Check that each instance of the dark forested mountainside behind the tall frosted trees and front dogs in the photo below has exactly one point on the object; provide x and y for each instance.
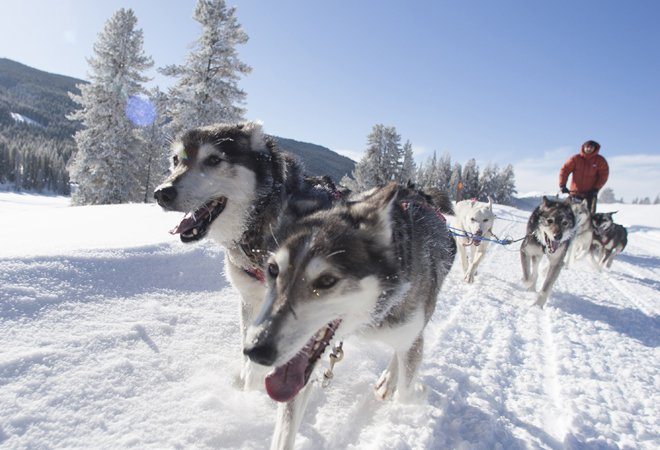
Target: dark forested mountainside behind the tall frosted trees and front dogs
(36, 138)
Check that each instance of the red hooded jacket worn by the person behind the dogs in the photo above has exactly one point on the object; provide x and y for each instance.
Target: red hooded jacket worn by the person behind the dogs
(589, 171)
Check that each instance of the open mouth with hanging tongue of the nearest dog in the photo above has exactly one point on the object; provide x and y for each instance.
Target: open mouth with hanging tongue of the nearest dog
(283, 383)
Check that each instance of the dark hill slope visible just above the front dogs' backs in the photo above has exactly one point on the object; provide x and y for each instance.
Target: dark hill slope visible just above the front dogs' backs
(318, 160)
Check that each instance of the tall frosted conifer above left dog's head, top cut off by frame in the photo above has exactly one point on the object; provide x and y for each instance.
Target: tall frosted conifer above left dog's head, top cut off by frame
(206, 89)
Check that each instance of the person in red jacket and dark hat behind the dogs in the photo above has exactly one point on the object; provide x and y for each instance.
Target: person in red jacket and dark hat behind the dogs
(590, 172)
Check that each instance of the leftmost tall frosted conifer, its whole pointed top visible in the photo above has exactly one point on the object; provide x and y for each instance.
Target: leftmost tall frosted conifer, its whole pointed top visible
(107, 167)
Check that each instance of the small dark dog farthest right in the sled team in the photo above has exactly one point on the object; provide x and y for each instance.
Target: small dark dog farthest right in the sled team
(609, 239)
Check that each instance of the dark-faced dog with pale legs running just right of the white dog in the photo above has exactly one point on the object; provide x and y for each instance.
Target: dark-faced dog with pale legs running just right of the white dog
(549, 231)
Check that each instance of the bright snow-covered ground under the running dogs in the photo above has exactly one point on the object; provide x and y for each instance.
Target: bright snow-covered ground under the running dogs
(114, 334)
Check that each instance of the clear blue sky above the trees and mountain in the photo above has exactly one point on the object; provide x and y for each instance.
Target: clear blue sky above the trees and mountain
(521, 82)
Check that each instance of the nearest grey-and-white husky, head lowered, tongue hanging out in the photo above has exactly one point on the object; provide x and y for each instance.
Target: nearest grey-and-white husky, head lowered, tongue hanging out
(374, 266)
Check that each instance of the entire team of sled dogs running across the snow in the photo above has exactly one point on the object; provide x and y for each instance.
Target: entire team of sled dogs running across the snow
(314, 263)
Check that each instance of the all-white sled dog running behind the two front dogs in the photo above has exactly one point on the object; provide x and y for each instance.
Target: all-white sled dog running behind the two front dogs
(476, 220)
